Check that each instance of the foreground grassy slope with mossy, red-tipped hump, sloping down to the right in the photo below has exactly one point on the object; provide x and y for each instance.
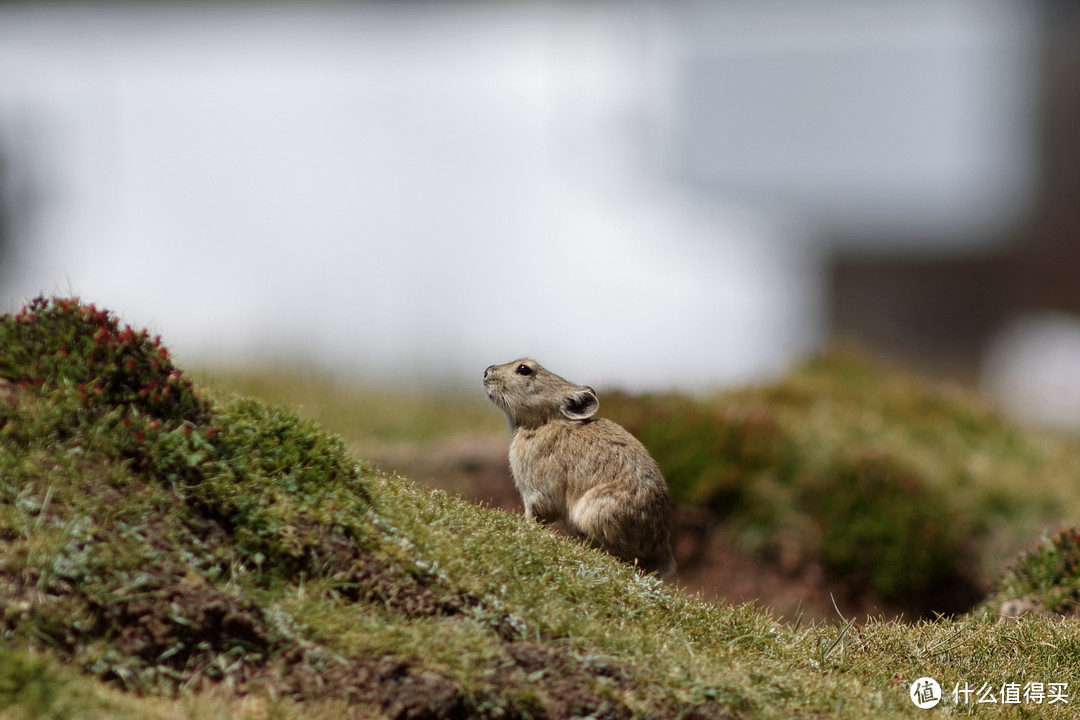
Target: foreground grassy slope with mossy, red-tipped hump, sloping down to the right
(171, 554)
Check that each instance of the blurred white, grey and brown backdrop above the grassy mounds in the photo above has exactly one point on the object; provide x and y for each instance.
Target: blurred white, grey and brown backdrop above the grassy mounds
(653, 195)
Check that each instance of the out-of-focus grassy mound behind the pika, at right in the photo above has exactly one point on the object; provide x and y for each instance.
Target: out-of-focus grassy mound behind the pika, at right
(917, 492)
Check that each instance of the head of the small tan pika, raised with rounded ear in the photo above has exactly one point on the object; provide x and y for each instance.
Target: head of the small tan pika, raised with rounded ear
(531, 396)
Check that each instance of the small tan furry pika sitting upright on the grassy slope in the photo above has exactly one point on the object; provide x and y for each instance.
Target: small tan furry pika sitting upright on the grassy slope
(588, 472)
